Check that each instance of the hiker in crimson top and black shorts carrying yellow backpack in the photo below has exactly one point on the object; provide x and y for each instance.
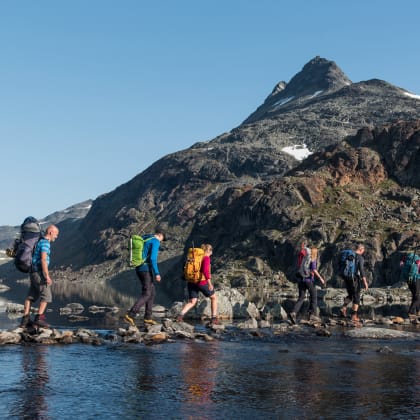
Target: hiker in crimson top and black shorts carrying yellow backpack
(204, 286)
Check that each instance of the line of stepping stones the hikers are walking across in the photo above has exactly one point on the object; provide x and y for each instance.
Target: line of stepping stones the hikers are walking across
(169, 331)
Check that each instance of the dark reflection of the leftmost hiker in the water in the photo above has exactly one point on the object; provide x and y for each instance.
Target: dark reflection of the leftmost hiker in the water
(34, 381)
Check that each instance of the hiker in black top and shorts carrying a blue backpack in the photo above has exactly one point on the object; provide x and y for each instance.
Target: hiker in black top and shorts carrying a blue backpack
(353, 285)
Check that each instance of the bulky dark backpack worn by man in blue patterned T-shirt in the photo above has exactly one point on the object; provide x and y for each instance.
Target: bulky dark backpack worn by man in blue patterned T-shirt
(24, 246)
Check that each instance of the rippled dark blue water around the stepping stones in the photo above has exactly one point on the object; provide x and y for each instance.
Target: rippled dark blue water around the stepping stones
(269, 378)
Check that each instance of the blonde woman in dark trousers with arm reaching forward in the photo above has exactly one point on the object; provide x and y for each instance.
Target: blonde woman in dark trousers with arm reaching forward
(307, 282)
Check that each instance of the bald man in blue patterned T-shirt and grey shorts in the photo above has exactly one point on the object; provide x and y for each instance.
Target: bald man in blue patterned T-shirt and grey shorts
(40, 279)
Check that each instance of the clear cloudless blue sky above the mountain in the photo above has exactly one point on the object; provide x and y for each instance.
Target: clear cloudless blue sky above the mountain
(92, 92)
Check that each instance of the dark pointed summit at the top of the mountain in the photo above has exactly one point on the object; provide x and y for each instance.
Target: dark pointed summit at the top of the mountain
(317, 77)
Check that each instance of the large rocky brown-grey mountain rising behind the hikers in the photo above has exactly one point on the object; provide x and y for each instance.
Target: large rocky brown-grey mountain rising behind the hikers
(254, 202)
